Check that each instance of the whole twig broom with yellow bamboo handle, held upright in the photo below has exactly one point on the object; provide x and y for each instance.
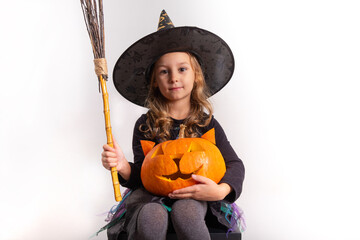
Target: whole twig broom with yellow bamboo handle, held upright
(94, 20)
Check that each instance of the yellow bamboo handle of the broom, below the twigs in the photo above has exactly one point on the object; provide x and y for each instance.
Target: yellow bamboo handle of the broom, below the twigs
(114, 174)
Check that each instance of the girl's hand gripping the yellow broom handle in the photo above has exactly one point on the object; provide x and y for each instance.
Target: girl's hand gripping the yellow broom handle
(114, 157)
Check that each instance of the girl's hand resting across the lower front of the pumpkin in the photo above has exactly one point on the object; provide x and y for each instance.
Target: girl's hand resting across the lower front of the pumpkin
(205, 190)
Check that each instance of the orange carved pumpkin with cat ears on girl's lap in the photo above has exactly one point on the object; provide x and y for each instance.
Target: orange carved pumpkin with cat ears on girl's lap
(169, 165)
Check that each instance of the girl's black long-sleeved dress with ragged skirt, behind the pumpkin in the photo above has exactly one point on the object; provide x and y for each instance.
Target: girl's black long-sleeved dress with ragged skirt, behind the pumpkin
(216, 216)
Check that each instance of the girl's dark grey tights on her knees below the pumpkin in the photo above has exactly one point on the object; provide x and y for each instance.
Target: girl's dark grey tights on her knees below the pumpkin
(187, 217)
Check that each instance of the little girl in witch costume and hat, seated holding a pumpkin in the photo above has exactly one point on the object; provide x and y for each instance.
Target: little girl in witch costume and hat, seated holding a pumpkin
(164, 71)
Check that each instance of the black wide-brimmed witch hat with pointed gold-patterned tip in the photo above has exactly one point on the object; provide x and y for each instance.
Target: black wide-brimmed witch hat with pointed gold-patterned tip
(132, 70)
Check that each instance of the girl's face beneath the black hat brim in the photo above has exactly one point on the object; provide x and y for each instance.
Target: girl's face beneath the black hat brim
(174, 76)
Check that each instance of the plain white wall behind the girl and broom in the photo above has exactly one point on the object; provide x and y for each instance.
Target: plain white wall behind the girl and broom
(291, 112)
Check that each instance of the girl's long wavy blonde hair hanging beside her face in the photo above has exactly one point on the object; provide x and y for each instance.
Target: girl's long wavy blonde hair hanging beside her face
(159, 123)
